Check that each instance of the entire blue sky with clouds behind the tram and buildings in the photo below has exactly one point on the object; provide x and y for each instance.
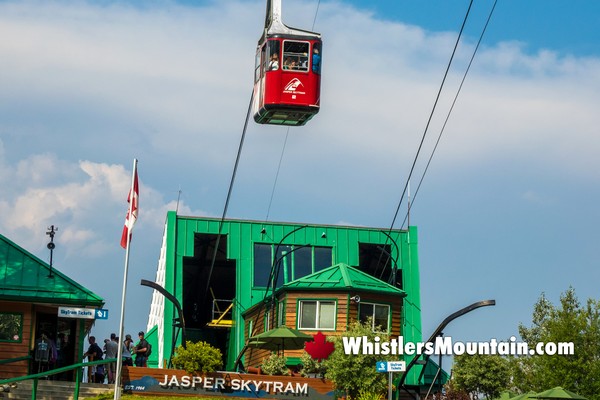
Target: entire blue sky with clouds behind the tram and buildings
(508, 209)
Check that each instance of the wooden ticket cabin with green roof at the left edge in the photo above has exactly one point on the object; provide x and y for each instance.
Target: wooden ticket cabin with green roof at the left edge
(31, 294)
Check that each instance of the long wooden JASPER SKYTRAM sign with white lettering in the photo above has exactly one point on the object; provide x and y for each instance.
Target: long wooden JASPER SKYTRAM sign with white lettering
(224, 384)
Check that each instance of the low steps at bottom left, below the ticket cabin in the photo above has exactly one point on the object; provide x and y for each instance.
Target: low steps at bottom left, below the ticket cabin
(53, 390)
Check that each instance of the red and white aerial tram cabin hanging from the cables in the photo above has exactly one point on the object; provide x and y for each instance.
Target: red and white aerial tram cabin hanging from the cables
(287, 76)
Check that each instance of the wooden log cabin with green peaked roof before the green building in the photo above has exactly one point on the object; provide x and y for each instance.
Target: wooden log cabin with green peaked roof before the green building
(327, 302)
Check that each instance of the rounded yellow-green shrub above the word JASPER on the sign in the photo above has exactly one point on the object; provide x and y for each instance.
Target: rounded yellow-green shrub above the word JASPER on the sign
(197, 357)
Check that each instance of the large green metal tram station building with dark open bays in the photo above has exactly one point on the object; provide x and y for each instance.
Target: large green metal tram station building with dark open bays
(218, 269)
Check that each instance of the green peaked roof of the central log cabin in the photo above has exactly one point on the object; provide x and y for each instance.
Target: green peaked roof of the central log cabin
(343, 277)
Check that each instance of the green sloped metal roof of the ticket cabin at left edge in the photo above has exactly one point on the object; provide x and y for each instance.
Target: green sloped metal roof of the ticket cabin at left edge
(24, 277)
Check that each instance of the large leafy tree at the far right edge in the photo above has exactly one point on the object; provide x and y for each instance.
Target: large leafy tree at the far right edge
(570, 321)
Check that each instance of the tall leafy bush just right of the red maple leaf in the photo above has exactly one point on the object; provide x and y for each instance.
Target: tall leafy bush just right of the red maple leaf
(354, 374)
